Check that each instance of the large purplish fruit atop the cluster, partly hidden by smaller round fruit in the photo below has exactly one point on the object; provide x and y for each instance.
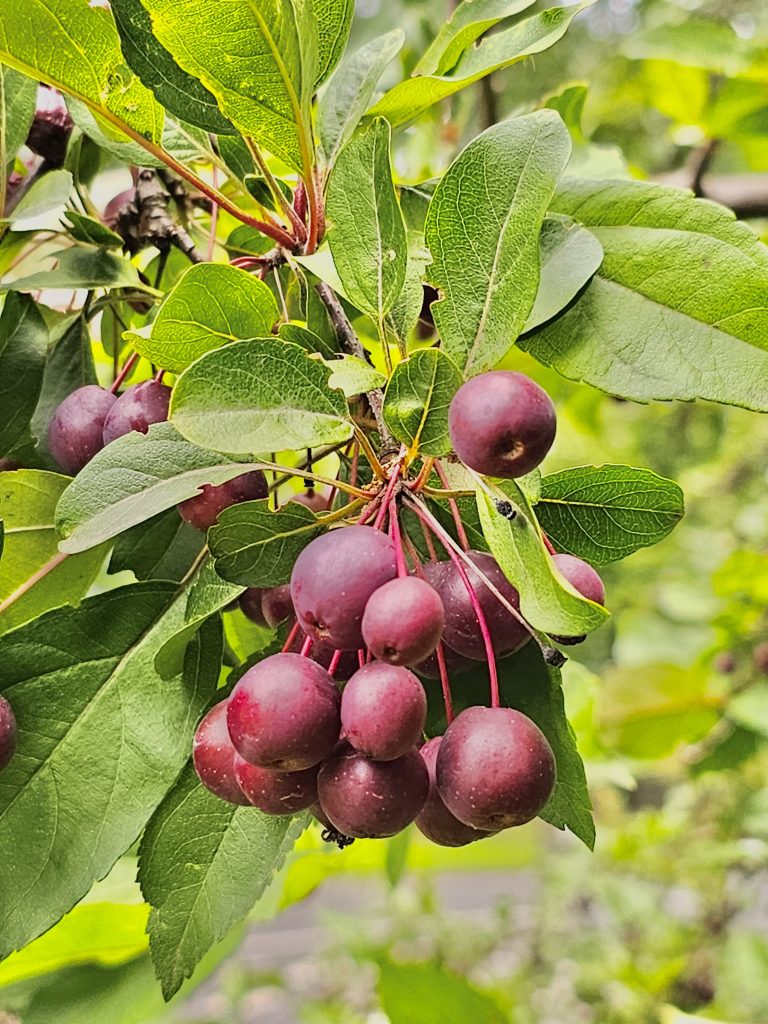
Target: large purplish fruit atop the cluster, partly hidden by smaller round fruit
(333, 579)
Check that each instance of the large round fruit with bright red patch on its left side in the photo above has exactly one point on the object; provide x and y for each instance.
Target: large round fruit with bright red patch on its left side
(284, 714)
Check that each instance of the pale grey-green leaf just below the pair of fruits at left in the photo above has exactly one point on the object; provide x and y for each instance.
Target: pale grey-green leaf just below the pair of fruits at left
(134, 480)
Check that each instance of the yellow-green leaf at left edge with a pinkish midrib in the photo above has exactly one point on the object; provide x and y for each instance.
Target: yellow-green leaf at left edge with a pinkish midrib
(28, 502)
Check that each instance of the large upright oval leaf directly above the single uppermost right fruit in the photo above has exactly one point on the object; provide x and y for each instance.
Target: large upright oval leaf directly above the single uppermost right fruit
(492, 203)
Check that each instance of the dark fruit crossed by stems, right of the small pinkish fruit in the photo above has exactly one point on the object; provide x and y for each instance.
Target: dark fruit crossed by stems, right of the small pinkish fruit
(462, 632)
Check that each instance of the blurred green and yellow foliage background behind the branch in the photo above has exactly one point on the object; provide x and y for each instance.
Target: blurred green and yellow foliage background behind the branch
(667, 923)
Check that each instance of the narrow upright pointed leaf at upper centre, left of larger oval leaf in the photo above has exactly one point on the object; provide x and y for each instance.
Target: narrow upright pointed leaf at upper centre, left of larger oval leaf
(368, 236)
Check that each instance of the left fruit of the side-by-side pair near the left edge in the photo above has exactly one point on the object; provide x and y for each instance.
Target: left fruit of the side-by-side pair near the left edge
(76, 430)
